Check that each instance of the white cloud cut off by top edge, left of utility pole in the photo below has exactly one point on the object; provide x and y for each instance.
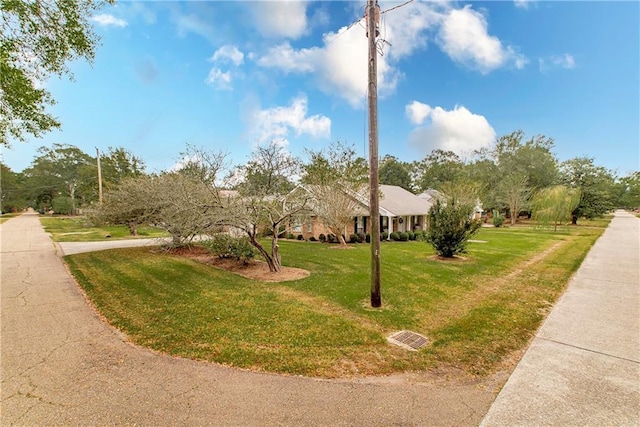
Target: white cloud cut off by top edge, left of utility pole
(281, 18)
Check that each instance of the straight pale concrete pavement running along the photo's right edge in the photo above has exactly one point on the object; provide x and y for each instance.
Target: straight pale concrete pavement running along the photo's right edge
(583, 367)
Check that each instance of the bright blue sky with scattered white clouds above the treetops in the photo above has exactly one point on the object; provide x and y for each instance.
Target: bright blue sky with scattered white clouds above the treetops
(453, 75)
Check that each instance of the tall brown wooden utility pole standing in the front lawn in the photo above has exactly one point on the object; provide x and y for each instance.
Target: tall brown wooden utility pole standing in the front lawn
(373, 16)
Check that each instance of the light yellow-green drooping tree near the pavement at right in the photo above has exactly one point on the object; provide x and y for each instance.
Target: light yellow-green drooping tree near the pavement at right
(554, 204)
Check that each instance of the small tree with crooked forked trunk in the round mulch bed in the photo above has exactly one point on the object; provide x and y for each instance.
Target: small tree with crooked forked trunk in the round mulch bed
(267, 200)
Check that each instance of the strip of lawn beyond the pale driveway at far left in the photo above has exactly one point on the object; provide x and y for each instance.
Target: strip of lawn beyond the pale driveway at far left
(77, 229)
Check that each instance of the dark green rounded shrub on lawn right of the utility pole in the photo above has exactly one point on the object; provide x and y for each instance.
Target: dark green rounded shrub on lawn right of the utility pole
(450, 226)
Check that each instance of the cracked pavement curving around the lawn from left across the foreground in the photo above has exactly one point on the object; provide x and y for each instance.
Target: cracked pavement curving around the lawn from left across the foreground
(62, 365)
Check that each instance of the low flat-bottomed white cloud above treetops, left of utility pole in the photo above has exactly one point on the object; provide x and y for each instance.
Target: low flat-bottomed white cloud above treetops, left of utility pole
(278, 122)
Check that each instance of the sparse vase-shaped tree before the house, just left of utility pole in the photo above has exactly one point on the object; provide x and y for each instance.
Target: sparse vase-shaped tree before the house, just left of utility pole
(336, 178)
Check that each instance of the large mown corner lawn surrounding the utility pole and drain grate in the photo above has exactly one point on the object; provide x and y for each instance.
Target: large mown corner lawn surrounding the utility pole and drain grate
(475, 313)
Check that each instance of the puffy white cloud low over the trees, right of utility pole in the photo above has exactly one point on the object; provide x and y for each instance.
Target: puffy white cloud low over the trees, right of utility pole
(457, 130)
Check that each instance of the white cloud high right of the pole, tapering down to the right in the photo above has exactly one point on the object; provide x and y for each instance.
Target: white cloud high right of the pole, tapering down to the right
(464, 37)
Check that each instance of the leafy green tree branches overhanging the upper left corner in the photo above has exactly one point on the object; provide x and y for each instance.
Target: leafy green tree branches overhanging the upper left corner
(38, 39)
